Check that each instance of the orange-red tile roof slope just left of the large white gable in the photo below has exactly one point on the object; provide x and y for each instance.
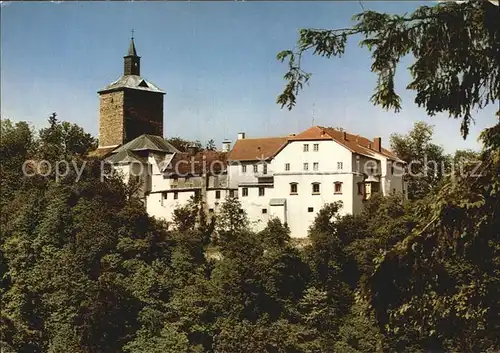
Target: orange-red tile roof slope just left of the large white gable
(257, 148)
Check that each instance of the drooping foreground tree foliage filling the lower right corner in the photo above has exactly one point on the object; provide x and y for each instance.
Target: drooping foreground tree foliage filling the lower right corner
(438, 286)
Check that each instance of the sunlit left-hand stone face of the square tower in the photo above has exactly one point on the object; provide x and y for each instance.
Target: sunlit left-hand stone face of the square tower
(111, 130)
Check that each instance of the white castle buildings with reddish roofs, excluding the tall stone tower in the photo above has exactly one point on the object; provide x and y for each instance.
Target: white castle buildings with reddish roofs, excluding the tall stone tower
(290, 178)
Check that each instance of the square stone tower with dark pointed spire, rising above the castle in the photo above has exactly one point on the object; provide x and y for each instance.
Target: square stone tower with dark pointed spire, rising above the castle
(130, 106)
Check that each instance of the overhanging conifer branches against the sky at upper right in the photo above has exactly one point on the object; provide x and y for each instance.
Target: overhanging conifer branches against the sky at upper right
(454, 46)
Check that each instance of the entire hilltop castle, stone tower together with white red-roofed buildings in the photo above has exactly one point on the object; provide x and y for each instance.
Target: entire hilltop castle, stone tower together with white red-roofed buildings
(288, 177)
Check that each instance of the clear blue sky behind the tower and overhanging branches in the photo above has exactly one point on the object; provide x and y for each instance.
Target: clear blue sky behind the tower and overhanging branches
(216, 61)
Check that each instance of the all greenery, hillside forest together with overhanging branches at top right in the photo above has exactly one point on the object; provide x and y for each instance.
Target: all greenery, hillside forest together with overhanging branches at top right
(84, 269)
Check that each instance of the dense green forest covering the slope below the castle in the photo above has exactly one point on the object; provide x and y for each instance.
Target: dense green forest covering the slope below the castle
(84, 269)
